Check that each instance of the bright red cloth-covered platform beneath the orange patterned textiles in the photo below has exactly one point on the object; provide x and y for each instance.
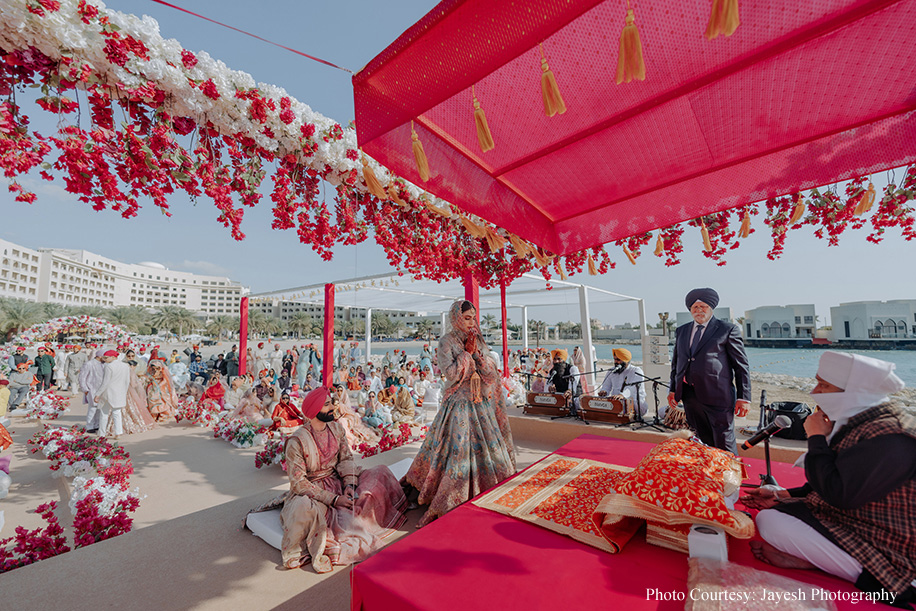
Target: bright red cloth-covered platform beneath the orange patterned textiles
(473, 558)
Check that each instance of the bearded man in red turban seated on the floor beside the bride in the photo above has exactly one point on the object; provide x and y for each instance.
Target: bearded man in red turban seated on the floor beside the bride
(335, 512)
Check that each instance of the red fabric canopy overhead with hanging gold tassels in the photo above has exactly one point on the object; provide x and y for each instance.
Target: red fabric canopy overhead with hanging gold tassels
(802, 94)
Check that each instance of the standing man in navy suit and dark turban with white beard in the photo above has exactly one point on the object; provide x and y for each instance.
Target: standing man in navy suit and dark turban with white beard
(709, 372)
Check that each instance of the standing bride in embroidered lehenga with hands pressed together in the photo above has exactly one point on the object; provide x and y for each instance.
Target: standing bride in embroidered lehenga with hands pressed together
(468, 447)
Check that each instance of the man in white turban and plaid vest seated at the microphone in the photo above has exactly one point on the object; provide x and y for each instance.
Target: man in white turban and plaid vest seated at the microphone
(856, 516)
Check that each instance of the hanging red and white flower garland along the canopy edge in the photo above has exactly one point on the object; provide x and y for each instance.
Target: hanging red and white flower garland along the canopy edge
(141, 117)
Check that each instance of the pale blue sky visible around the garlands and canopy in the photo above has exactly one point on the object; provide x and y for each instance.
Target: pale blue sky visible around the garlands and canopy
(350, 33)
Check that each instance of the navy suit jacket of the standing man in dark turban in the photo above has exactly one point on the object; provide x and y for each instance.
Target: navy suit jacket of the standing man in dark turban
(718, 368)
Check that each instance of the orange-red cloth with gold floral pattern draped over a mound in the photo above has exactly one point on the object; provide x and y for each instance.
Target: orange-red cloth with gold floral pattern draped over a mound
(684, 477)
